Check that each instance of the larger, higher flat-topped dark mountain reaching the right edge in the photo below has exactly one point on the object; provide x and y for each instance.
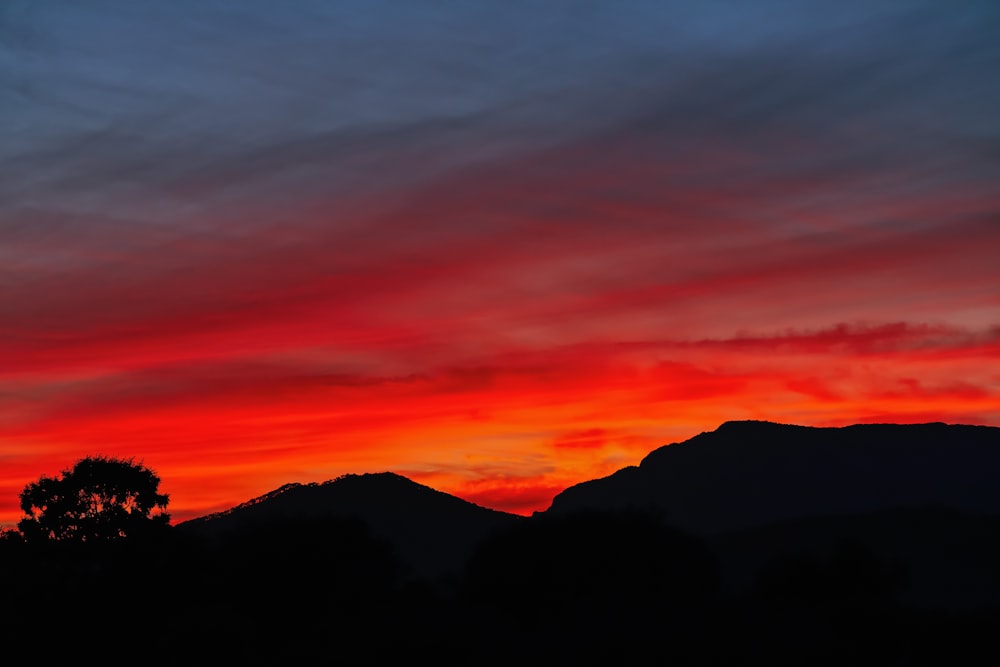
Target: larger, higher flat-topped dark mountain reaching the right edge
(747, 474)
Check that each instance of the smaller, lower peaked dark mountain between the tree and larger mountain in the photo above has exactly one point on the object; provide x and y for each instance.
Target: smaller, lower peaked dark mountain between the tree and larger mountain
(433, 532)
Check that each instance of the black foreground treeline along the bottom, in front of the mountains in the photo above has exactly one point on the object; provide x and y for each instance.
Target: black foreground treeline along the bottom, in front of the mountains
(591, 588)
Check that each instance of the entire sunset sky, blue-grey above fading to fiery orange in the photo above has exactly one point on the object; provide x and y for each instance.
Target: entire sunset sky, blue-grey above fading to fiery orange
(496, 247)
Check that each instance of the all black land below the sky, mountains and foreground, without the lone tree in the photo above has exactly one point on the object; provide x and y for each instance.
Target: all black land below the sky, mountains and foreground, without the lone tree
(754, 544)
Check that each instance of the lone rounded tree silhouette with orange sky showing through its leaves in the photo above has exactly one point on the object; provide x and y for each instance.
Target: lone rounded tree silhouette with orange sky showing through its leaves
(97, 500)
